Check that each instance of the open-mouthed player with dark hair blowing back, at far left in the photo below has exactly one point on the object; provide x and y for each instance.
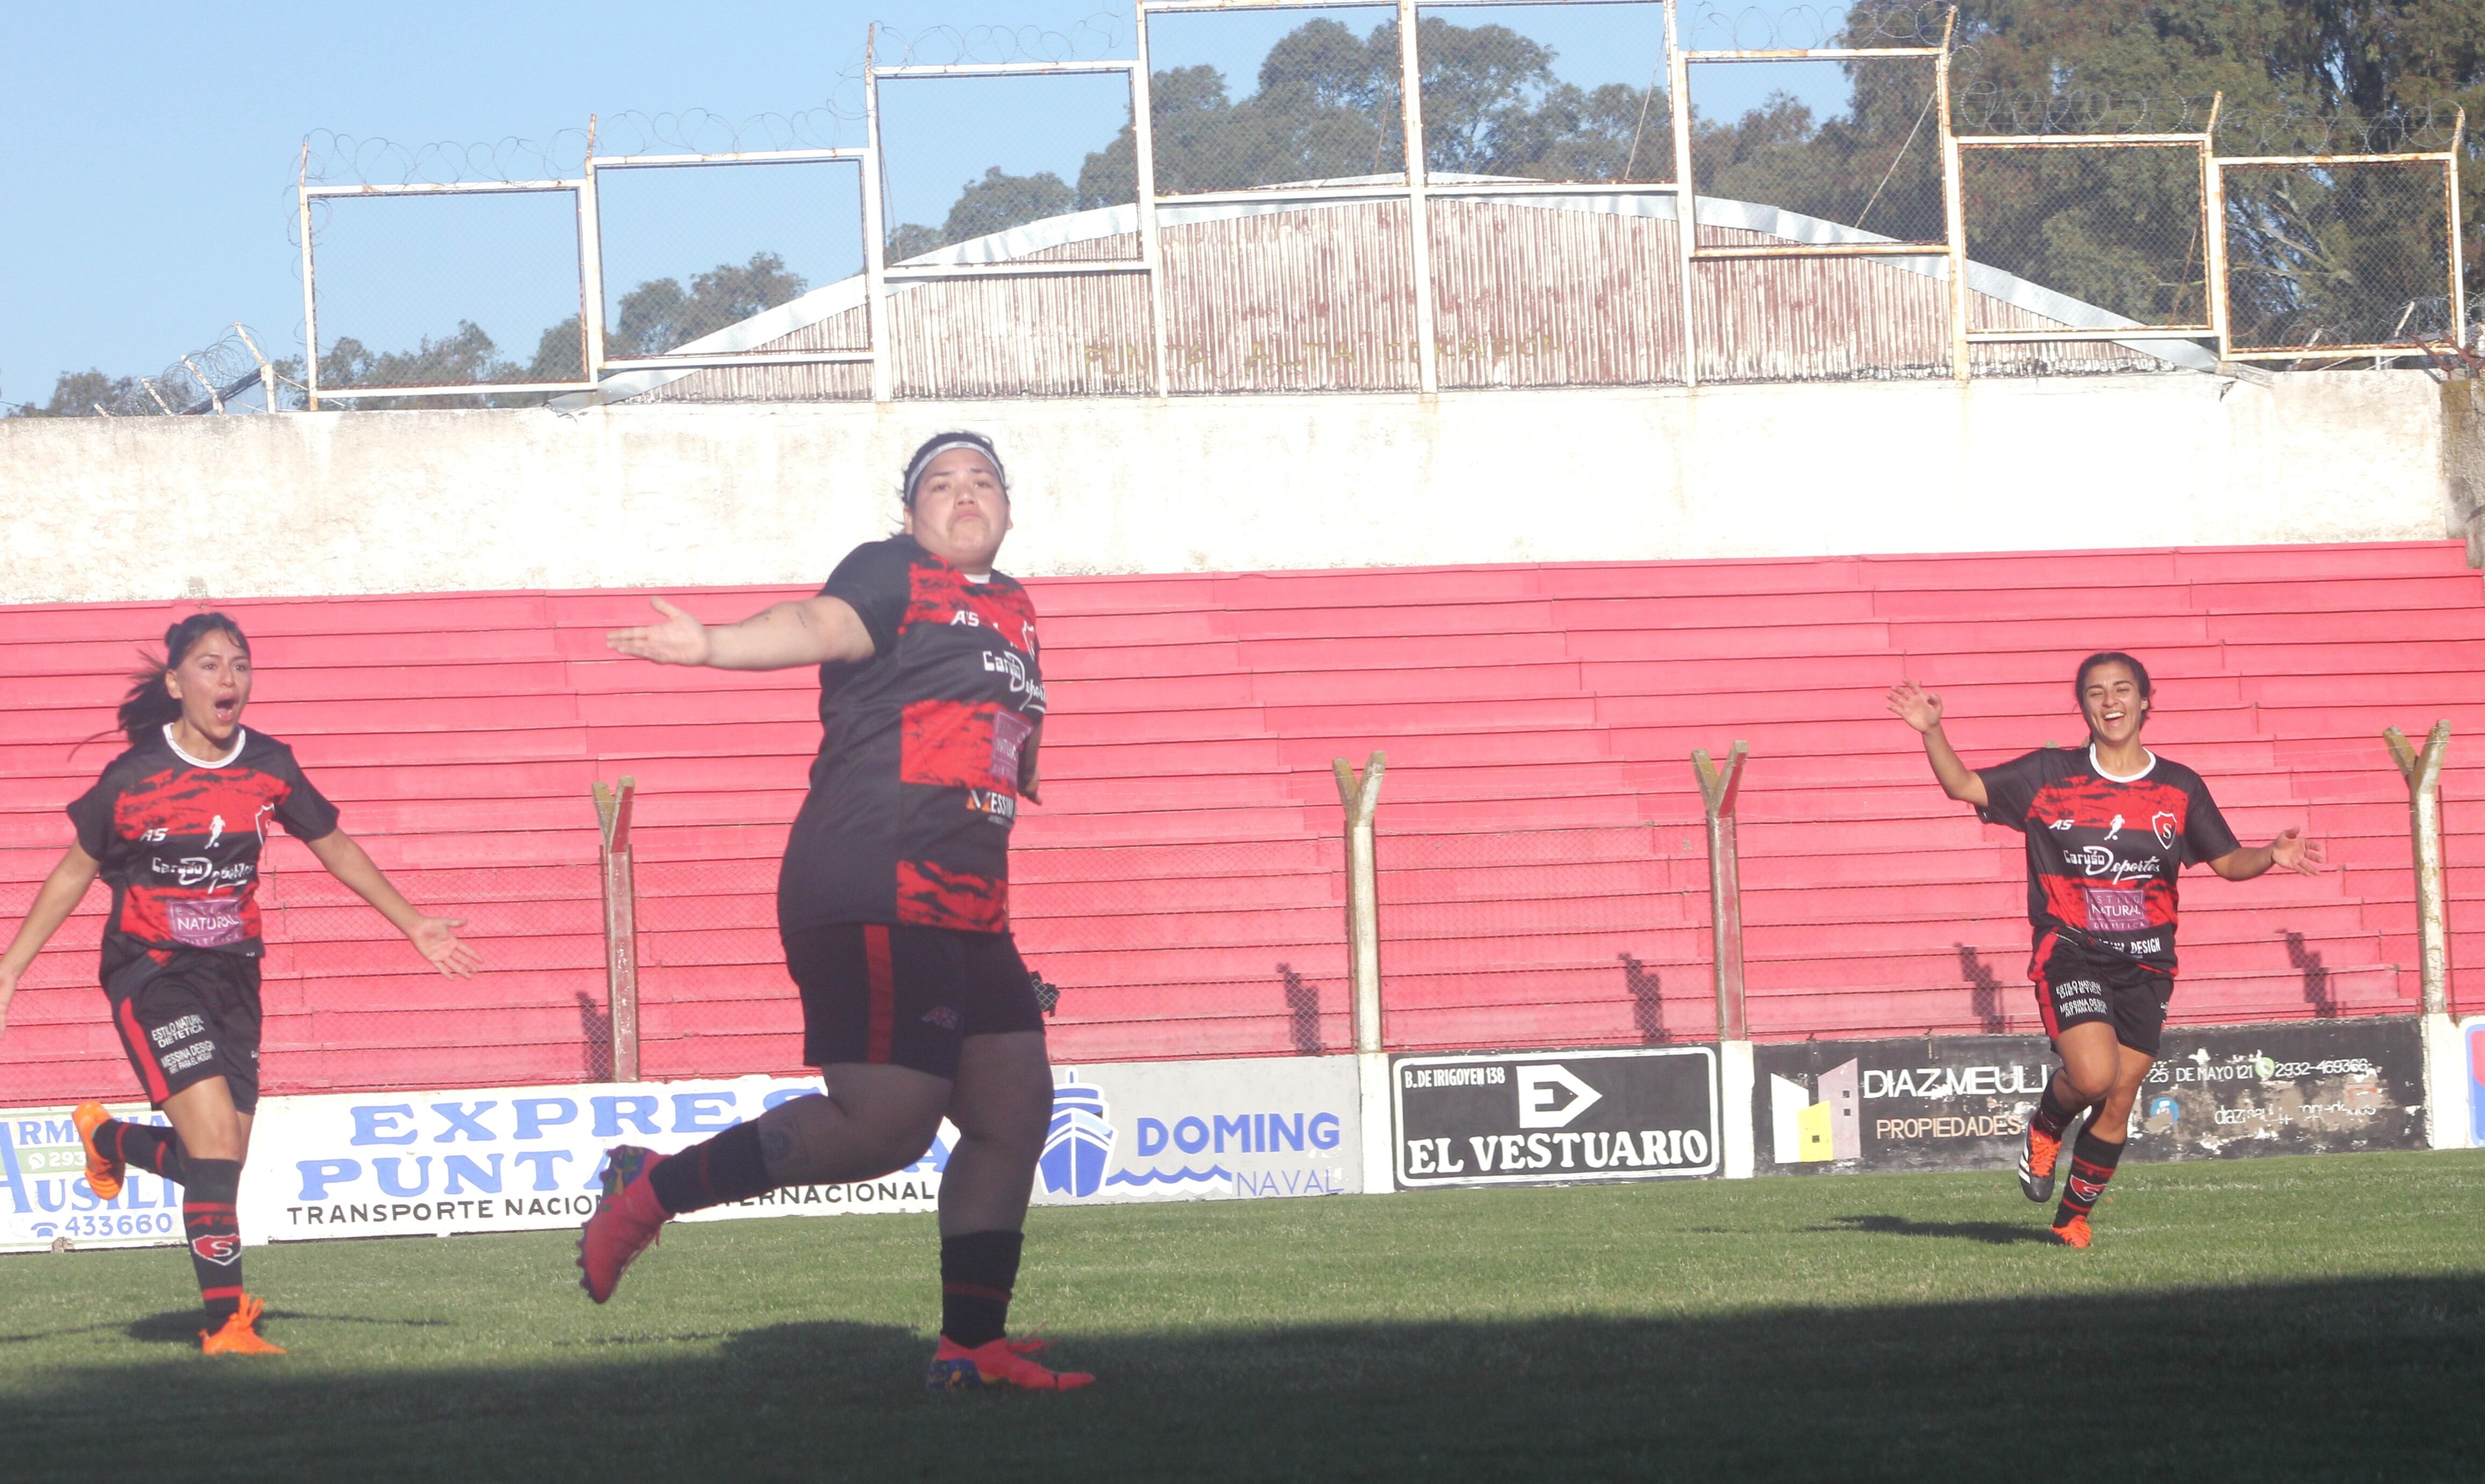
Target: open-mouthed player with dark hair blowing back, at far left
(175, 827)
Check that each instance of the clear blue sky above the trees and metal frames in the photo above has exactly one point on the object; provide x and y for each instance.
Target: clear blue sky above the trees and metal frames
(150, 188)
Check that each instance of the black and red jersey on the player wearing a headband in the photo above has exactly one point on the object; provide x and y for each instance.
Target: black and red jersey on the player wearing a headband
(921, 747)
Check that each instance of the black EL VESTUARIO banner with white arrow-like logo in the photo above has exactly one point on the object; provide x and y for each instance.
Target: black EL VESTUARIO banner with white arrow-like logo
(1557, 1117)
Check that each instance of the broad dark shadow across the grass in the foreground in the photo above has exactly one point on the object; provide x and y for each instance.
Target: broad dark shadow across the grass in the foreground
(2317, 1378)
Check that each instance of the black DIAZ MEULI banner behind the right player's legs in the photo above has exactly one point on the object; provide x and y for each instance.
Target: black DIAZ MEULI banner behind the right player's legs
(1962, 1102)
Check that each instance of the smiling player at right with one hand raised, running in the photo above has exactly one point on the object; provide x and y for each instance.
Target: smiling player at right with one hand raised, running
(2109, 829)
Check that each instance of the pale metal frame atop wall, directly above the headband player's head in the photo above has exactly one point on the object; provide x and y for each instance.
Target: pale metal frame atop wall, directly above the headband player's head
(881, 272)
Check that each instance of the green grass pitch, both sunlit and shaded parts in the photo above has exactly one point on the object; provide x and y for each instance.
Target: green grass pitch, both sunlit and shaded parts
(2285, 1319)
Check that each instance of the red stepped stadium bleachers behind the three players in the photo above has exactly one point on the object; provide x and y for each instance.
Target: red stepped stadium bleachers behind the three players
(1544, 874)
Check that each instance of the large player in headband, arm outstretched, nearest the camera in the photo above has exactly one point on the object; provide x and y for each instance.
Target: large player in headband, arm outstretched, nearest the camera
(896, 906)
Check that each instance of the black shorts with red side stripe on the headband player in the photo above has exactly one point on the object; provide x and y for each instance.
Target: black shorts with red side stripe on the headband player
(906, 996)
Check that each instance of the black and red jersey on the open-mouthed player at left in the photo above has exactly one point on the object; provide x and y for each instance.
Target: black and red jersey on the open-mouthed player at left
(180, 841)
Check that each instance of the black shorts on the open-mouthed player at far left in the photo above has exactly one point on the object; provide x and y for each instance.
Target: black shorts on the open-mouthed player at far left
(188, 1020)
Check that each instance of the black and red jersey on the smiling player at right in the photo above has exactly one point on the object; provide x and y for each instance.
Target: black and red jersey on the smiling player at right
(2104, 851)
